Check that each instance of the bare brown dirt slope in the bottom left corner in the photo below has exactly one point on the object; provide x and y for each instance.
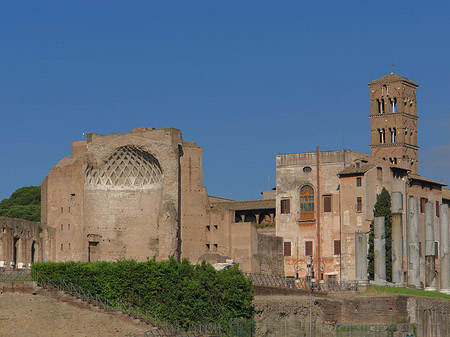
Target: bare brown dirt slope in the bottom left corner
(41, 316)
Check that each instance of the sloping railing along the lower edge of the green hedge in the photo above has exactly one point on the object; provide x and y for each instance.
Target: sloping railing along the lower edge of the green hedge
(161, 326)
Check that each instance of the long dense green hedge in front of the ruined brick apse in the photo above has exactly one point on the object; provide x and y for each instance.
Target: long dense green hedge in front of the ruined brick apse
(177, 292)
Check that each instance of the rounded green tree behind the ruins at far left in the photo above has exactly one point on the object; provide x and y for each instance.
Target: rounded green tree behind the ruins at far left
(24, 203)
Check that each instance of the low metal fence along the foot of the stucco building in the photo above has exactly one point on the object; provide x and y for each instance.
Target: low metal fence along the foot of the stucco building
(282, 281)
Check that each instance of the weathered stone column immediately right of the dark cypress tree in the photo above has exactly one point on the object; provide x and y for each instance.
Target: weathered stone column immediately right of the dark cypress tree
(397, 238)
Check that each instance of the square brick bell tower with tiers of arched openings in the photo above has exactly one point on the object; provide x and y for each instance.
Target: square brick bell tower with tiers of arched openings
(393, 121)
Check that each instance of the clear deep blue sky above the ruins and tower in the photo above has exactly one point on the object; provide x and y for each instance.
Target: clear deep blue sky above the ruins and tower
(244, 79)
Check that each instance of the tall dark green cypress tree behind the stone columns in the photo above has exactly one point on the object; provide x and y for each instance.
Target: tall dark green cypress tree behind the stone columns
(382, 208)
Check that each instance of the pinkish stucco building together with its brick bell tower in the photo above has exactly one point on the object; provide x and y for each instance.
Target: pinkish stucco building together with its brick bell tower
(323, 197)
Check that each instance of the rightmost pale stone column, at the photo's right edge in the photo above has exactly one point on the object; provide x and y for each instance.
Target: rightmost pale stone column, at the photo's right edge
(445, 247)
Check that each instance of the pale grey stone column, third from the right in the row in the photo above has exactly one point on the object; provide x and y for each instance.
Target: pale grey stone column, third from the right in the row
(413, 243)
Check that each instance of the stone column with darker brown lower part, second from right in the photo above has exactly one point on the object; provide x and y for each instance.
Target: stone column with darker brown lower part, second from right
(430, 276)
